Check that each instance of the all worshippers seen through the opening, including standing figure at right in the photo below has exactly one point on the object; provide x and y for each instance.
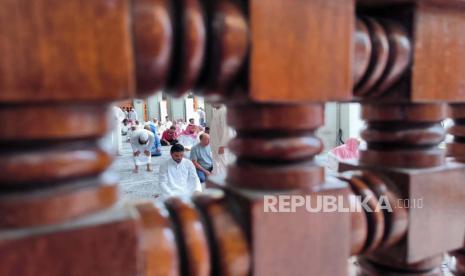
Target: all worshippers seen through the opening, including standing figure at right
(191, 160)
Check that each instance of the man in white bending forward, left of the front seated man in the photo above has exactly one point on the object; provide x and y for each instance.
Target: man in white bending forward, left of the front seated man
(142, 142)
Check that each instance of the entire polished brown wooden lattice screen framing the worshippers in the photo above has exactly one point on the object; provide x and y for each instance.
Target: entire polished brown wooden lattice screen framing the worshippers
(275, 64)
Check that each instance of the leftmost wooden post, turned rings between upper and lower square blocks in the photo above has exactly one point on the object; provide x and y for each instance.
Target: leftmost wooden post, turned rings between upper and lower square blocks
(63, 64)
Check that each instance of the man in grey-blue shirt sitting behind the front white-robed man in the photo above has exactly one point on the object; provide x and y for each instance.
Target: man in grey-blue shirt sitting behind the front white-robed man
(201, 156)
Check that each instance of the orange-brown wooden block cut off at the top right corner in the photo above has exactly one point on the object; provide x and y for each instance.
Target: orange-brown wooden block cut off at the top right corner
(438, 66)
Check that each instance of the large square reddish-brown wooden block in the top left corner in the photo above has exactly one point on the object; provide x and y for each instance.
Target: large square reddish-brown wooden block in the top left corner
(65, 51)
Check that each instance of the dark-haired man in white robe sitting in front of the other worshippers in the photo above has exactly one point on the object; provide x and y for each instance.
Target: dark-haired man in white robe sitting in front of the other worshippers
(177, 175)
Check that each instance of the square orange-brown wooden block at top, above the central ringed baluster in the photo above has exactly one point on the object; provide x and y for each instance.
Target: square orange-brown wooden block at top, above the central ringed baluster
(297, 46)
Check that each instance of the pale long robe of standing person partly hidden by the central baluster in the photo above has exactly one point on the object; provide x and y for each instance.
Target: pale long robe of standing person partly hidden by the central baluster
(220, 134)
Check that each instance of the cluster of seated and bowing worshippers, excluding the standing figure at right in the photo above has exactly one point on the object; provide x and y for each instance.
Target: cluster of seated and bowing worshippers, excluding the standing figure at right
(176, 171)
